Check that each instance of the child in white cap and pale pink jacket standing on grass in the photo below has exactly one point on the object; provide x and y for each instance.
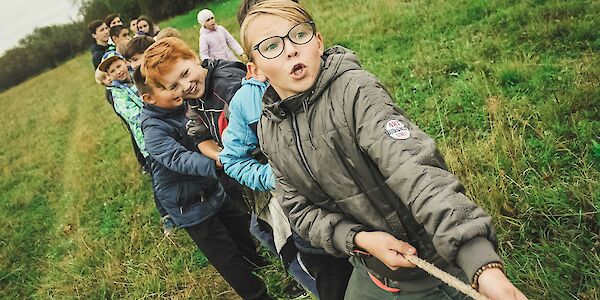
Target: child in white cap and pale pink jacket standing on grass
(215, 41)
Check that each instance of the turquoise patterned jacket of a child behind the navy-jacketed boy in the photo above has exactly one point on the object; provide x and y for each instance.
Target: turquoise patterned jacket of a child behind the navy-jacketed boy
(128, 105)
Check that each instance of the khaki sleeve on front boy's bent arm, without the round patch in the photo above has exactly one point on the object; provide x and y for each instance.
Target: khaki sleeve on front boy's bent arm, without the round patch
(322, 228)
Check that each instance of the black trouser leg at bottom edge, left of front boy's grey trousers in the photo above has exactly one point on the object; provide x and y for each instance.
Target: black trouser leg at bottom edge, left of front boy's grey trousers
(331, 274)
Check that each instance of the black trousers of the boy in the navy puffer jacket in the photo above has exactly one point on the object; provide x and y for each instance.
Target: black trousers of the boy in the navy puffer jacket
(225, 240)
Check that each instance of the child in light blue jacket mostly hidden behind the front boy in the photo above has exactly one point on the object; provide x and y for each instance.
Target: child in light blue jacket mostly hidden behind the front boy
(243, 160)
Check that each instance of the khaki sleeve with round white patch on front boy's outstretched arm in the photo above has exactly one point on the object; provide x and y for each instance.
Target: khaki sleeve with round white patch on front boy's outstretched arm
(415, 170)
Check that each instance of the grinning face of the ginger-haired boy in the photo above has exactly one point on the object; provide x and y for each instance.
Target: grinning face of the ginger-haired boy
(186, 78)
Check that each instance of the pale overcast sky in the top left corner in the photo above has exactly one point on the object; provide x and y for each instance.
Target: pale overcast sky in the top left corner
(19, 17)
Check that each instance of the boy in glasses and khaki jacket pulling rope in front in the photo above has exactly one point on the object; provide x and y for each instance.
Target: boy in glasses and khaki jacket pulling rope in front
(385, 192)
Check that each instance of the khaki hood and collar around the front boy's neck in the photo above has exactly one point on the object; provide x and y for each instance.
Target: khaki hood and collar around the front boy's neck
(335, 61)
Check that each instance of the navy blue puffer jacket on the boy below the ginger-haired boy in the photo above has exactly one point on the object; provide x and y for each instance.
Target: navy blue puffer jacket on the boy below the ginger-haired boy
(185, 180)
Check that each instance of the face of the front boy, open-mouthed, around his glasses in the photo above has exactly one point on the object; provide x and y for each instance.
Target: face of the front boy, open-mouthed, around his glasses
(296, 68)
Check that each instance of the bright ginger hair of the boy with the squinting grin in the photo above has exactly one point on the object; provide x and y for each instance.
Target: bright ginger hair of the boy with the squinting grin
(161, 56)
